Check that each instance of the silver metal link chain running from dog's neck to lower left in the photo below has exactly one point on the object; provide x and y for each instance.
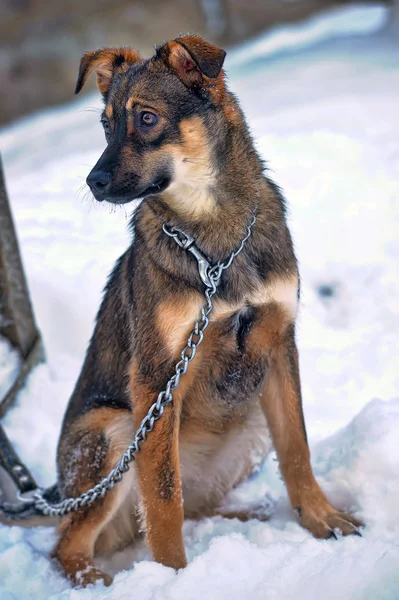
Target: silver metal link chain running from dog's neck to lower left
(165, 397)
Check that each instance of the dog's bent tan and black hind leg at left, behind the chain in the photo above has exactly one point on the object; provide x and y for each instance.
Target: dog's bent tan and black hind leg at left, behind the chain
(87, 453)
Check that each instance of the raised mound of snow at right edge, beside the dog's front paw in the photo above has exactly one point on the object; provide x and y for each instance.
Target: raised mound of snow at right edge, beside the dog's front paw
(363, 461)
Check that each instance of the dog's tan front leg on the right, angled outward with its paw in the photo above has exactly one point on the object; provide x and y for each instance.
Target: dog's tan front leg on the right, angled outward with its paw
(281, 401)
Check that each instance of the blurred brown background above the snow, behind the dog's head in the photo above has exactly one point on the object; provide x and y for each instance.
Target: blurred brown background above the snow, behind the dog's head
(41, 41)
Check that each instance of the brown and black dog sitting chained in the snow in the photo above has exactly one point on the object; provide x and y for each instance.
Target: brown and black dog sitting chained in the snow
(177, 138)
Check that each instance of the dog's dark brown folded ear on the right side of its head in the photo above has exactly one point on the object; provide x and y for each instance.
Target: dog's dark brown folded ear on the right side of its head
(193, 58)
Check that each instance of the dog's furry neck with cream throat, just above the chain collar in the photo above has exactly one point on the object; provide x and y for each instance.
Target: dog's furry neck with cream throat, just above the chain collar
(214, 194)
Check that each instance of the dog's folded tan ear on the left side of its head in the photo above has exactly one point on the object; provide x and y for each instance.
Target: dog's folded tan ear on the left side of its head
(105, 63)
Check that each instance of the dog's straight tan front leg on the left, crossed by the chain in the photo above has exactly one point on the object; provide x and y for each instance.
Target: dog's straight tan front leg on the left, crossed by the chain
(158, 470)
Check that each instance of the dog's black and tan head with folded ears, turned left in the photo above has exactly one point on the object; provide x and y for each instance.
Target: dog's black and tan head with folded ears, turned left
(154, 117)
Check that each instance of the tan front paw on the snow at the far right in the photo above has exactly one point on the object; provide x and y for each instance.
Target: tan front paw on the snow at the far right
(324, 521)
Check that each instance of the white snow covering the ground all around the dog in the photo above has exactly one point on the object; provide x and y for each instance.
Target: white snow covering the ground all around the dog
(326, 119)
